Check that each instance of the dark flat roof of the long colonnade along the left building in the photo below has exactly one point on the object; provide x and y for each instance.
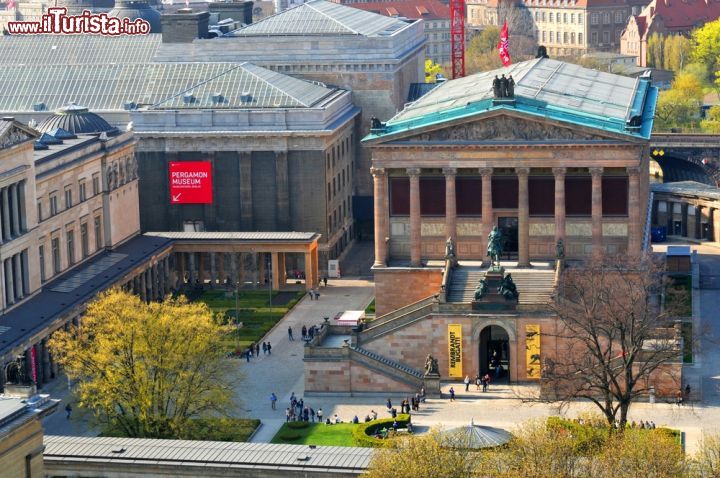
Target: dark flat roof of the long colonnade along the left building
(74, 288)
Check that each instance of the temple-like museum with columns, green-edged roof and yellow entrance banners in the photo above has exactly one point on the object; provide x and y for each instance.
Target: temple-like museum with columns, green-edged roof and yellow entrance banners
(561, 156)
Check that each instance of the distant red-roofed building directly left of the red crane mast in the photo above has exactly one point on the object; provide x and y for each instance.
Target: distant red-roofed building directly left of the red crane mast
(436, 18)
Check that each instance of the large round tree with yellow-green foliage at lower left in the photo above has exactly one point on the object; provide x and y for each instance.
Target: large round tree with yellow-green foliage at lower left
(145, 369)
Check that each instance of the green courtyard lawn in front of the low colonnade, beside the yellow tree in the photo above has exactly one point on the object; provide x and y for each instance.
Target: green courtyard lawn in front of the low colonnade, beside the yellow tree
(254, 312)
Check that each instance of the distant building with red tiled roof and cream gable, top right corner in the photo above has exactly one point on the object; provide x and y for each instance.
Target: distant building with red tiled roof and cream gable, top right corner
(664, 18)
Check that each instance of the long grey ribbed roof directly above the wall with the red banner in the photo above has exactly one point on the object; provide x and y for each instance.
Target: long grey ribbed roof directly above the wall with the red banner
(112, 86)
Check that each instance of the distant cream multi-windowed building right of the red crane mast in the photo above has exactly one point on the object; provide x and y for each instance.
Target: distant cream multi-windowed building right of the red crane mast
(566, 28)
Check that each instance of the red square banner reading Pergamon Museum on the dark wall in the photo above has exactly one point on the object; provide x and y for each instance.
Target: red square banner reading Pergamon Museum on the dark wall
(190, 182)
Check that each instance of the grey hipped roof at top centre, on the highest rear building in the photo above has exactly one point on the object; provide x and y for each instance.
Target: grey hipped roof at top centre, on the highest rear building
(322, 18)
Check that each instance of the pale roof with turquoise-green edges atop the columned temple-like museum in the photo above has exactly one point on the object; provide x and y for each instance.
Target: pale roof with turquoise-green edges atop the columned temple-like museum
(545, 88)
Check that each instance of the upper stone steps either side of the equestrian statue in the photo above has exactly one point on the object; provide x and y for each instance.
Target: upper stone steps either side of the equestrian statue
(536, 286)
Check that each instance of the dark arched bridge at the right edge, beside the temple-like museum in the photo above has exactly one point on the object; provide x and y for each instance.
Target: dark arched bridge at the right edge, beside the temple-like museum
(687, 156)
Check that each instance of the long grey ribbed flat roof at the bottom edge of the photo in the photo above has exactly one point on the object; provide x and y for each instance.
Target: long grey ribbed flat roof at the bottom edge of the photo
(209, 454)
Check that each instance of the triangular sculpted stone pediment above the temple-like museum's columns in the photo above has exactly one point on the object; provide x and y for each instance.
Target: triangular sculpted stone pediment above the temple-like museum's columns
(501, 128)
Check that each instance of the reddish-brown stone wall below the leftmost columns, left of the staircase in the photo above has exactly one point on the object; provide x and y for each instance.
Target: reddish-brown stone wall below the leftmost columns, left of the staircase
(398, 287)
